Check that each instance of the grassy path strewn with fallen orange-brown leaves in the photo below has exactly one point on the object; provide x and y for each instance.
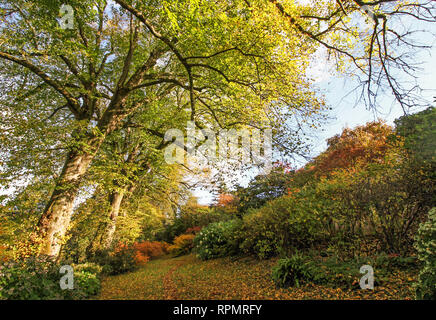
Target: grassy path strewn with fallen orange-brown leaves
(246, 279)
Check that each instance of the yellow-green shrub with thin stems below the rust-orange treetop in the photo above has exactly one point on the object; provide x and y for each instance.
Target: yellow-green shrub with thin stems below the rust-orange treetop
(383, 201)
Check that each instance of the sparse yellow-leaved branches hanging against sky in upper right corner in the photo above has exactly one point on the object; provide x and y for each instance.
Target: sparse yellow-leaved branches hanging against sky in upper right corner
(375, 40)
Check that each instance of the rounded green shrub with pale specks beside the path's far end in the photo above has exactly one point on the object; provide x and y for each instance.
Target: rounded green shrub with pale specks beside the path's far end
(218, 239)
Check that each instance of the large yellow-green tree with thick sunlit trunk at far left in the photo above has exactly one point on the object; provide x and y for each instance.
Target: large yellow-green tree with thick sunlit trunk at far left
(115, 62)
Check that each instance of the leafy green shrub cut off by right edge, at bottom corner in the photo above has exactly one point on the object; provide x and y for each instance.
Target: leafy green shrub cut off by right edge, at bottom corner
(426, 247)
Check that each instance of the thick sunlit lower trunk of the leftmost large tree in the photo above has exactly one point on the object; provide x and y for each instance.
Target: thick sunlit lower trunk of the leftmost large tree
(55, 220)
